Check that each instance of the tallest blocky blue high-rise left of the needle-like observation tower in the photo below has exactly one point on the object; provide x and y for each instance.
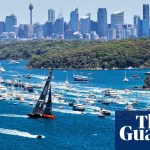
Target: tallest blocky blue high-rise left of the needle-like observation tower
(10, 21)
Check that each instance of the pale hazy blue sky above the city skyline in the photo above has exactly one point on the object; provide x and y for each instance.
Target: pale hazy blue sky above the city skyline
(20, 8)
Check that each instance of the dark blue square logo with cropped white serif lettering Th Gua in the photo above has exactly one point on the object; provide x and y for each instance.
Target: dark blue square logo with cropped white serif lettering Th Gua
(132, 130)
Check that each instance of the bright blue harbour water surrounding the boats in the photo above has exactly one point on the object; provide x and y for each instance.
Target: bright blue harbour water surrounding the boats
(70, 130)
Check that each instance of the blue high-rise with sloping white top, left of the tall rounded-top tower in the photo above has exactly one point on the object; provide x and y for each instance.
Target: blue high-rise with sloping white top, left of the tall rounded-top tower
(85, 24)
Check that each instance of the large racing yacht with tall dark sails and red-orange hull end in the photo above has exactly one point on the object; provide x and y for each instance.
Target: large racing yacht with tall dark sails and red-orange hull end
(43, 107)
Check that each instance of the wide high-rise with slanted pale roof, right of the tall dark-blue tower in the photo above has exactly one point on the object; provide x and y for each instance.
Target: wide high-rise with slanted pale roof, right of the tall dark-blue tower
(117, 18)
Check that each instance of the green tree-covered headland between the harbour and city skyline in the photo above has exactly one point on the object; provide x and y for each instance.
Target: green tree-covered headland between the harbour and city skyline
(80, 54)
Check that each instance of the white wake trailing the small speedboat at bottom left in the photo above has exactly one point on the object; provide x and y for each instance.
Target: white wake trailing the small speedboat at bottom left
(18, 133)
